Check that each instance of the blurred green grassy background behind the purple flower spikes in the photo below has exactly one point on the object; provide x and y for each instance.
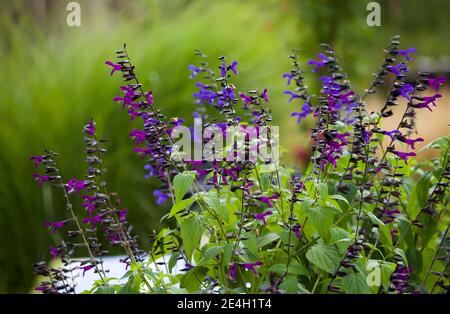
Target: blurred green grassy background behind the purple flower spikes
(52, 80)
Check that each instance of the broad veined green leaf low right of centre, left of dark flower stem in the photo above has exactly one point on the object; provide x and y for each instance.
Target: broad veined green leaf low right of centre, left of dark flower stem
(325, 257)
